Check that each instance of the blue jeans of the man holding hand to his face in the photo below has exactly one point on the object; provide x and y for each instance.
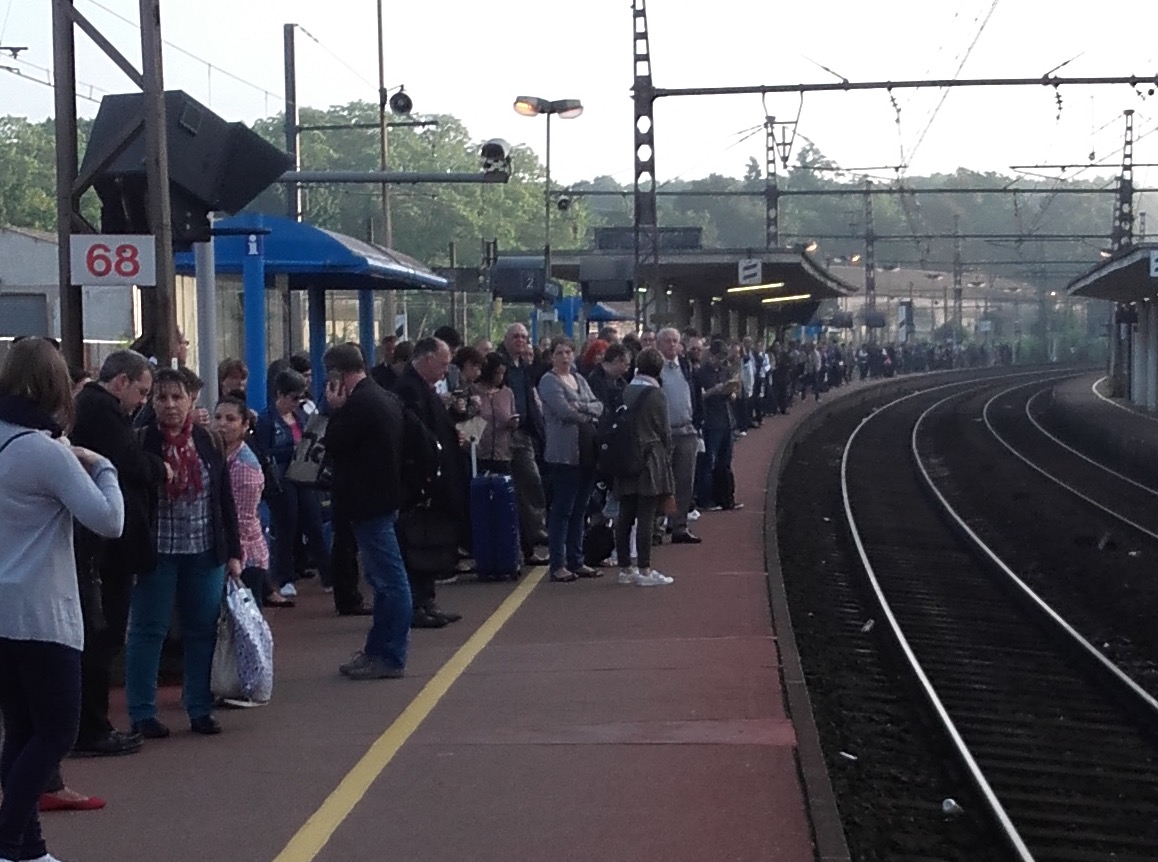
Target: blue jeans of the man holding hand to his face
(385, 572)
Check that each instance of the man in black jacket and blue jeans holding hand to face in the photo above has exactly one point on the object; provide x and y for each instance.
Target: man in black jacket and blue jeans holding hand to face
(364, 441)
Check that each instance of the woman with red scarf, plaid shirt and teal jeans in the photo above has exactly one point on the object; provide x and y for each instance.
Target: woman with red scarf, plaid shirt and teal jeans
(197, 543)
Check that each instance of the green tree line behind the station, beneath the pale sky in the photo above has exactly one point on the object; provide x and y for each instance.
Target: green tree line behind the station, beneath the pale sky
(427, 218)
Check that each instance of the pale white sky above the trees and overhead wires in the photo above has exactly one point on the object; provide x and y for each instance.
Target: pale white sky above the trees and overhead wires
(472, 60)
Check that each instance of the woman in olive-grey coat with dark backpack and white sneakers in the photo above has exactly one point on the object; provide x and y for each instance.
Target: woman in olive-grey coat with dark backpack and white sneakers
(643, 496)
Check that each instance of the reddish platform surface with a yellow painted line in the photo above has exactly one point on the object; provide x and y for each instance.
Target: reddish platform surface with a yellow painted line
(583, 721)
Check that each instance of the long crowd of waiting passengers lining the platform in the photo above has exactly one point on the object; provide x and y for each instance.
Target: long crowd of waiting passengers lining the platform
(613, 447)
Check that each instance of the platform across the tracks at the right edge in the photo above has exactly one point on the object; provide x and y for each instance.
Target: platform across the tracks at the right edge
(1082, 408)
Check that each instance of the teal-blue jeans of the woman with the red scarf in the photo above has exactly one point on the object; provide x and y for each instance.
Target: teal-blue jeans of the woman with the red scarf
(197, 583)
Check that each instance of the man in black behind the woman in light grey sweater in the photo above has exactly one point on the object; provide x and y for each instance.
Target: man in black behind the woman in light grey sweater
(104, 425)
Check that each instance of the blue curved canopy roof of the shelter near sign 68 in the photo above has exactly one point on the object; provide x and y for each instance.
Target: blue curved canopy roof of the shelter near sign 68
(313, 258)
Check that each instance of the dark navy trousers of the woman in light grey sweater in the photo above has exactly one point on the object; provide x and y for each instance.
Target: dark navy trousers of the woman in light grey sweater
(40, 698)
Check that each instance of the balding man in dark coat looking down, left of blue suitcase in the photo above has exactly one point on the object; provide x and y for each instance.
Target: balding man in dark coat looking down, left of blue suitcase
(449, 494)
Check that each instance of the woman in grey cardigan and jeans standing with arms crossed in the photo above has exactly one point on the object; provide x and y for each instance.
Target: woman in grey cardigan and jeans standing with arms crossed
(570, 412)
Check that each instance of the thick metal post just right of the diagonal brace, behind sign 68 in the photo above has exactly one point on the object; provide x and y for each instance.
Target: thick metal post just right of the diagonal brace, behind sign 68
(157, 166)
